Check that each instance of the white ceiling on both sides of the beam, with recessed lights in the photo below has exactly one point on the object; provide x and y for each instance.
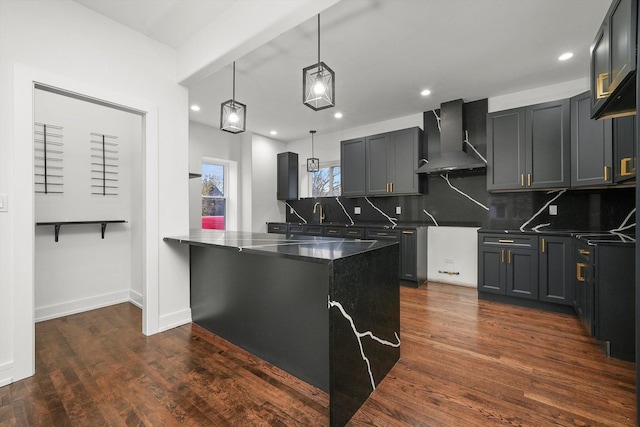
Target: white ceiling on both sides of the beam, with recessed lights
(384, 52)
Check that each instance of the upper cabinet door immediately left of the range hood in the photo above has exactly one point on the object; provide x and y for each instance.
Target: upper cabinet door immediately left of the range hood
(405, 145)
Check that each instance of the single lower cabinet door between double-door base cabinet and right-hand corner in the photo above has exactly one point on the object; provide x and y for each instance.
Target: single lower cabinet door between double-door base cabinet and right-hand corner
(556, 266)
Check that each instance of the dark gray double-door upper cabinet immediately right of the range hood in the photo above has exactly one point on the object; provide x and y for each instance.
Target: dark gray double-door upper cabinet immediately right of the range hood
(529, 147)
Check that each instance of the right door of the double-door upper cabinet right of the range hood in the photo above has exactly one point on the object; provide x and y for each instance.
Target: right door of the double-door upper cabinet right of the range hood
(548, 145)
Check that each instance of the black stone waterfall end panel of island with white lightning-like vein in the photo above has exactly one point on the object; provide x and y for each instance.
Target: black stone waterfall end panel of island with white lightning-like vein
(366, 288)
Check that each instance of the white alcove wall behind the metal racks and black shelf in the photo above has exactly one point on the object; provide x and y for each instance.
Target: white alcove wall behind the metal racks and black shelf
(82, 271)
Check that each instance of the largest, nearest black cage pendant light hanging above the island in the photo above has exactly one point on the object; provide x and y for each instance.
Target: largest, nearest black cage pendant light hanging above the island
(318, 83)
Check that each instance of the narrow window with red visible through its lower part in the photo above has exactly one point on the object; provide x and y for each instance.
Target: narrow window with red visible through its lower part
(214, 202)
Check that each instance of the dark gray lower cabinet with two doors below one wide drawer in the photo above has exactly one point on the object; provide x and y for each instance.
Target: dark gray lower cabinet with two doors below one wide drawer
(508, 265)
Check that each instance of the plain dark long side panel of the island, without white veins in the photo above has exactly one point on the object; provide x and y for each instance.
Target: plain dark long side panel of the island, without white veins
(275, 308)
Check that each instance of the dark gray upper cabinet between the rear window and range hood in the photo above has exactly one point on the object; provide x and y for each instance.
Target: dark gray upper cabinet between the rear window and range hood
(383, 164)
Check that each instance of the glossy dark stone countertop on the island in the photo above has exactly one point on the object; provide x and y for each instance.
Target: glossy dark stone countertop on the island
(307, 248)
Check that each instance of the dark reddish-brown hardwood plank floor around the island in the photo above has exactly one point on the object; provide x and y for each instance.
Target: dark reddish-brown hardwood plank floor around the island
(464, 362)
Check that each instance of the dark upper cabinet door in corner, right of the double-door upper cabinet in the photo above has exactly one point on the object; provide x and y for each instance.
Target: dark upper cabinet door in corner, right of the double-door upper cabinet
(591, 145)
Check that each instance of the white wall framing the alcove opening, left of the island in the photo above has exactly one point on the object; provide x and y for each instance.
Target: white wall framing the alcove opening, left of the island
(65, 40)
